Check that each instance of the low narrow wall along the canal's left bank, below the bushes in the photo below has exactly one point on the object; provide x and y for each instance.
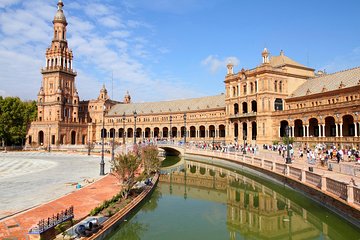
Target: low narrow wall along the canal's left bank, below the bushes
(114, 222)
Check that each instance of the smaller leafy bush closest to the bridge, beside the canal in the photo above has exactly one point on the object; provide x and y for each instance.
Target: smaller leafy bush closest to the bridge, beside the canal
(150, 159)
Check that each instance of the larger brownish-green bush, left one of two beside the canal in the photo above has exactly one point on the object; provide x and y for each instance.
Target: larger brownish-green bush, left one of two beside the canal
(124, 167)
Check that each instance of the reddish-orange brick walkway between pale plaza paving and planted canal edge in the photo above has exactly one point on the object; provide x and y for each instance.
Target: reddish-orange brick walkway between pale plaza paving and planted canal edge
(83, 200)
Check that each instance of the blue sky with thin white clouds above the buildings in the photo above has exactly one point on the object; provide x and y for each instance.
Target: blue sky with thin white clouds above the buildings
(168, 49)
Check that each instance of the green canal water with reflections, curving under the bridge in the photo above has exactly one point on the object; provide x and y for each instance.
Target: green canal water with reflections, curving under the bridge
(203, 201)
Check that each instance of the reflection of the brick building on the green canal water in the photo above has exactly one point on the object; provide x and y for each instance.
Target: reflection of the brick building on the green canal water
(254, 209)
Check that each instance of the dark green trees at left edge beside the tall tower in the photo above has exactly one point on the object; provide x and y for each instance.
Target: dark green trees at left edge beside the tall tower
(15, 117)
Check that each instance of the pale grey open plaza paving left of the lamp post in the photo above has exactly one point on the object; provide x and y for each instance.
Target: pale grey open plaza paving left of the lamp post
(29, 179)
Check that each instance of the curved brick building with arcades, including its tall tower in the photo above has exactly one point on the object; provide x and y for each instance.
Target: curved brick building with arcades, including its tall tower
(256, 108)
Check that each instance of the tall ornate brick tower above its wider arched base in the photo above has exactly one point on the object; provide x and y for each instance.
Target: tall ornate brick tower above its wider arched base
(58, 99)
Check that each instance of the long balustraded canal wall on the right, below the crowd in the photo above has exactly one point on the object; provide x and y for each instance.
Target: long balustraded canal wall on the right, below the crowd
(340, 197)
